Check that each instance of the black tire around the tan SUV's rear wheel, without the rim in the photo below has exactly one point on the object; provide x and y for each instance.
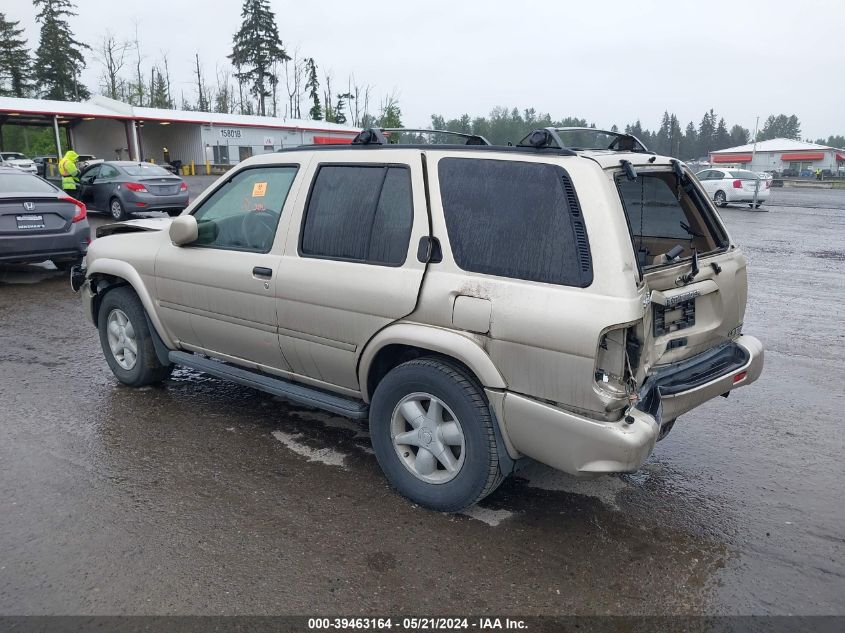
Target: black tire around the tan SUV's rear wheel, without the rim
(479, 474)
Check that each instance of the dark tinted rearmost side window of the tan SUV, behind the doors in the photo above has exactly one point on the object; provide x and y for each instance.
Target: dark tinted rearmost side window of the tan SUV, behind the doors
(515, 219)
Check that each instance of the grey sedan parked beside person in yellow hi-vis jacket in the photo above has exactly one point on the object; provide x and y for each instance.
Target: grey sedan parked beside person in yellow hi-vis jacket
(123, 187)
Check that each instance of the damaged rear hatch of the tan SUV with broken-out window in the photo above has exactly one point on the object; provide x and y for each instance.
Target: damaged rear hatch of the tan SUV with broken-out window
(694, 279)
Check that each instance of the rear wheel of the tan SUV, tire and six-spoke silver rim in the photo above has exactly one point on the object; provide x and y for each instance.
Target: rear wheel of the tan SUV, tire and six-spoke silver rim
(433, 435)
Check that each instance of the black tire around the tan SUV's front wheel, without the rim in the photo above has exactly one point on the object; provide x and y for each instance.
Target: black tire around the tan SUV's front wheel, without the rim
(146, 369)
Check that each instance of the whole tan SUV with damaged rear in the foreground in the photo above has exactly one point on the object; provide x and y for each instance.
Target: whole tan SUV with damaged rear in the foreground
(478, 304)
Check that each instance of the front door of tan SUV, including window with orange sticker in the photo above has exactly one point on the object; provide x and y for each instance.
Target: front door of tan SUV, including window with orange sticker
(217, 295)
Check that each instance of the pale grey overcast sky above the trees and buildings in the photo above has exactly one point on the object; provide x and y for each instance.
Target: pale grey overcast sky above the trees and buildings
(603, 60)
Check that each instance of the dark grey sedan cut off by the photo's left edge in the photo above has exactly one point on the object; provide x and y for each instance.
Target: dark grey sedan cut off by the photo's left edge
(39, 221)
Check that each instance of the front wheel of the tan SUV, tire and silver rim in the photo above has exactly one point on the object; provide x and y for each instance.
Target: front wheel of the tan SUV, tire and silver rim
(126, 340)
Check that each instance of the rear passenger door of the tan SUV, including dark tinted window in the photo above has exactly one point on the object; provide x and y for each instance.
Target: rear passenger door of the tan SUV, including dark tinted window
(350, 267)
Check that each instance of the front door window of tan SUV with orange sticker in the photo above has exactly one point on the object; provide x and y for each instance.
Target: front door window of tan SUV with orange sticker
(243, 214)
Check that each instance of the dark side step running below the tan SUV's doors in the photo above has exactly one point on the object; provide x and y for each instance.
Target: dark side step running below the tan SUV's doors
(302, 394)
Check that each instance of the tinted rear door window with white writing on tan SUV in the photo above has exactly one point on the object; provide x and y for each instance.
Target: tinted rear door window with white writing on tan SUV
(359, 213)
